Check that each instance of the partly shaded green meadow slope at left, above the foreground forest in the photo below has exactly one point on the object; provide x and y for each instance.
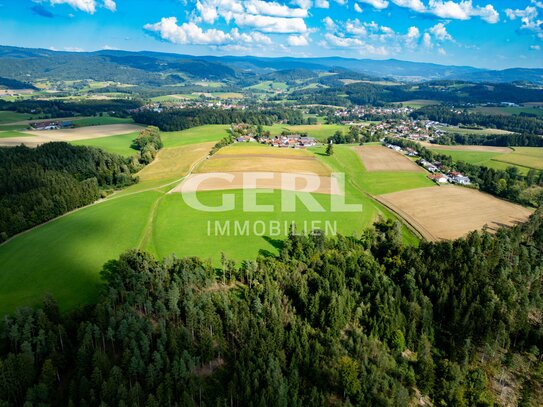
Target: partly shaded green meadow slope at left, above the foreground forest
(64, 256)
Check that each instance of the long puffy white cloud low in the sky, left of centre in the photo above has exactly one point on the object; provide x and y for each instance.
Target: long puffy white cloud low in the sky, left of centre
(190, 33)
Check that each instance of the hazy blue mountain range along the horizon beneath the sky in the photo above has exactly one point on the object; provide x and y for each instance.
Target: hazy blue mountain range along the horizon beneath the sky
(26, 64)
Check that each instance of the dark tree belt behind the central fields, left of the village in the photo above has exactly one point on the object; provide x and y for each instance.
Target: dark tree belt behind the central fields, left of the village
(181, 119)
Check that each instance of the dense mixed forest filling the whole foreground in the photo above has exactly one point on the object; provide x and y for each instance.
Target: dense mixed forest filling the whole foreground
(342, 322)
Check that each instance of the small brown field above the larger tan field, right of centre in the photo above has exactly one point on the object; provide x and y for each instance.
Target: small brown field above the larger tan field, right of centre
(379, 158)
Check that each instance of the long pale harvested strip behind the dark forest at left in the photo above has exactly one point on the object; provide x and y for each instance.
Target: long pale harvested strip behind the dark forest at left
(36, 137)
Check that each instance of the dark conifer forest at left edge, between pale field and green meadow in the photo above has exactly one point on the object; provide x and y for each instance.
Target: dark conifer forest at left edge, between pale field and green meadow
(39, 184)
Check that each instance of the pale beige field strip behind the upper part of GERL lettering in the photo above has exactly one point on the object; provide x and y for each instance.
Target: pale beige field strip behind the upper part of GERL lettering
(259, 180)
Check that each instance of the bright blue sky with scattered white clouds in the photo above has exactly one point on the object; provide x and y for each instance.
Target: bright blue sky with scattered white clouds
(482, 33)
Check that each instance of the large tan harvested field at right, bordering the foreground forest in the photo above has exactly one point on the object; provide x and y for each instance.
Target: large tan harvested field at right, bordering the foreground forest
(449, 212)
